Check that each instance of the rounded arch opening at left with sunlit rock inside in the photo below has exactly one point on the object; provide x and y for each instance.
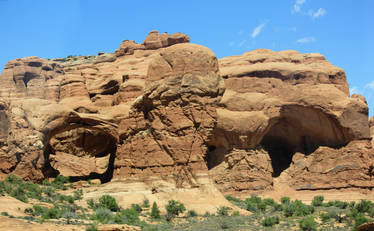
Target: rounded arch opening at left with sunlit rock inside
(81, 153)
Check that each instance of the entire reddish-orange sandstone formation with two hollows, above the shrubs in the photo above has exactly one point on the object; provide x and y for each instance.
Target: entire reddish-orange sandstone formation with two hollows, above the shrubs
(166, 110)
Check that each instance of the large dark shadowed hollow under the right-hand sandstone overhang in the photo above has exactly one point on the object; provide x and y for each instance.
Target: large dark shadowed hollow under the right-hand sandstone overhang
(300, 129)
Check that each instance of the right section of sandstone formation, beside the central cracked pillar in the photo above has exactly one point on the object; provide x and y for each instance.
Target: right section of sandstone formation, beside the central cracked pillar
(279, 106)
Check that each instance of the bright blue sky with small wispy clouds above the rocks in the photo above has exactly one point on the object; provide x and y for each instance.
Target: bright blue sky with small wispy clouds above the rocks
(343, 31)
